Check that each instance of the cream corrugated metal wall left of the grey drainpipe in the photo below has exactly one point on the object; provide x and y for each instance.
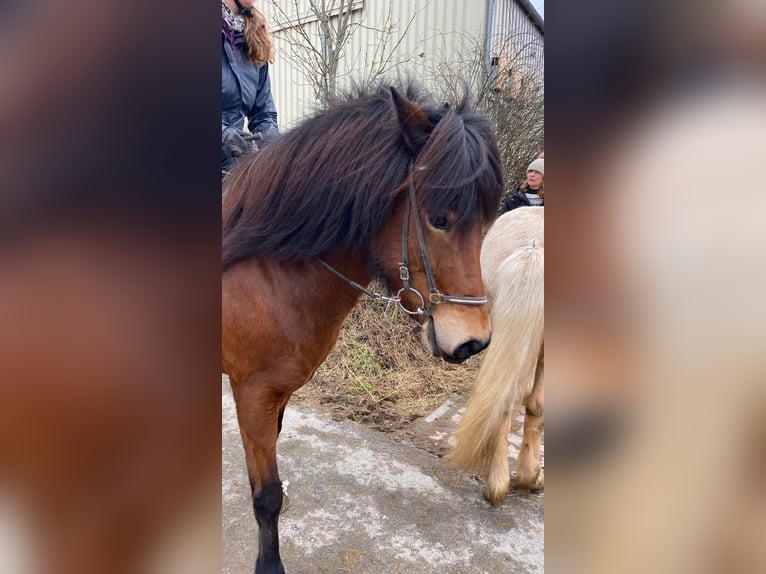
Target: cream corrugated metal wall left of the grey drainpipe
(438, 29)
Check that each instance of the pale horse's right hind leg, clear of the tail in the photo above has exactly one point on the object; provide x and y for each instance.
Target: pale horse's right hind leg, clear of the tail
(529, 475)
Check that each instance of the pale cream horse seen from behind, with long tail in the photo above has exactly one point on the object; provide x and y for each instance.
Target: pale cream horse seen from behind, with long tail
(511, 373)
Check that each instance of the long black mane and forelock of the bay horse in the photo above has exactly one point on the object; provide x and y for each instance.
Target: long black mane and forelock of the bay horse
(332, 182)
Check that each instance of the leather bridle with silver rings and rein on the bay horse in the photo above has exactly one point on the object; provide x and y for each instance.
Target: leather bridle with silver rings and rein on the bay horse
(435, 296)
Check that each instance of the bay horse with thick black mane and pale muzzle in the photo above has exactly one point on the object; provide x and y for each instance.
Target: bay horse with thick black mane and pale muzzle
(313, 217)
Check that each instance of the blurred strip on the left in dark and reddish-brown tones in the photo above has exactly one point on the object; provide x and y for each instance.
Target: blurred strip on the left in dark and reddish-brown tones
(109, 290)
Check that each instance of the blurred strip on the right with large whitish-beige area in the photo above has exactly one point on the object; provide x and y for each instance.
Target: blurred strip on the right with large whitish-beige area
(654, 288)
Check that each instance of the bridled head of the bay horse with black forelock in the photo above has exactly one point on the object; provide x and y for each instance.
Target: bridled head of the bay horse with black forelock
(450, 194)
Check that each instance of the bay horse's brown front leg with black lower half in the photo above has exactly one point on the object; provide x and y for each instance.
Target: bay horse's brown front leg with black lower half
(259, 411)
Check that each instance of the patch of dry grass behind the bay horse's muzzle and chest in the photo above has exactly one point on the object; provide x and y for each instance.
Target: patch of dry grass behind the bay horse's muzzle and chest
(380, 375)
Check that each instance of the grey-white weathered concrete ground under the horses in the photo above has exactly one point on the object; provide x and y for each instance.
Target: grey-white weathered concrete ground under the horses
(363, 503)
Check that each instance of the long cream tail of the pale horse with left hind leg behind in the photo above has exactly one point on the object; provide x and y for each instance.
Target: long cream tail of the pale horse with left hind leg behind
(507, 373)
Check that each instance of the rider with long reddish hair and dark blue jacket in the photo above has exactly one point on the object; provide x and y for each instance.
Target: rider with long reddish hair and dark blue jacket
(245, 84)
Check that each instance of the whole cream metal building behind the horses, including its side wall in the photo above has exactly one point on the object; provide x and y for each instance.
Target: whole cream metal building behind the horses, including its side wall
(500, 41)
